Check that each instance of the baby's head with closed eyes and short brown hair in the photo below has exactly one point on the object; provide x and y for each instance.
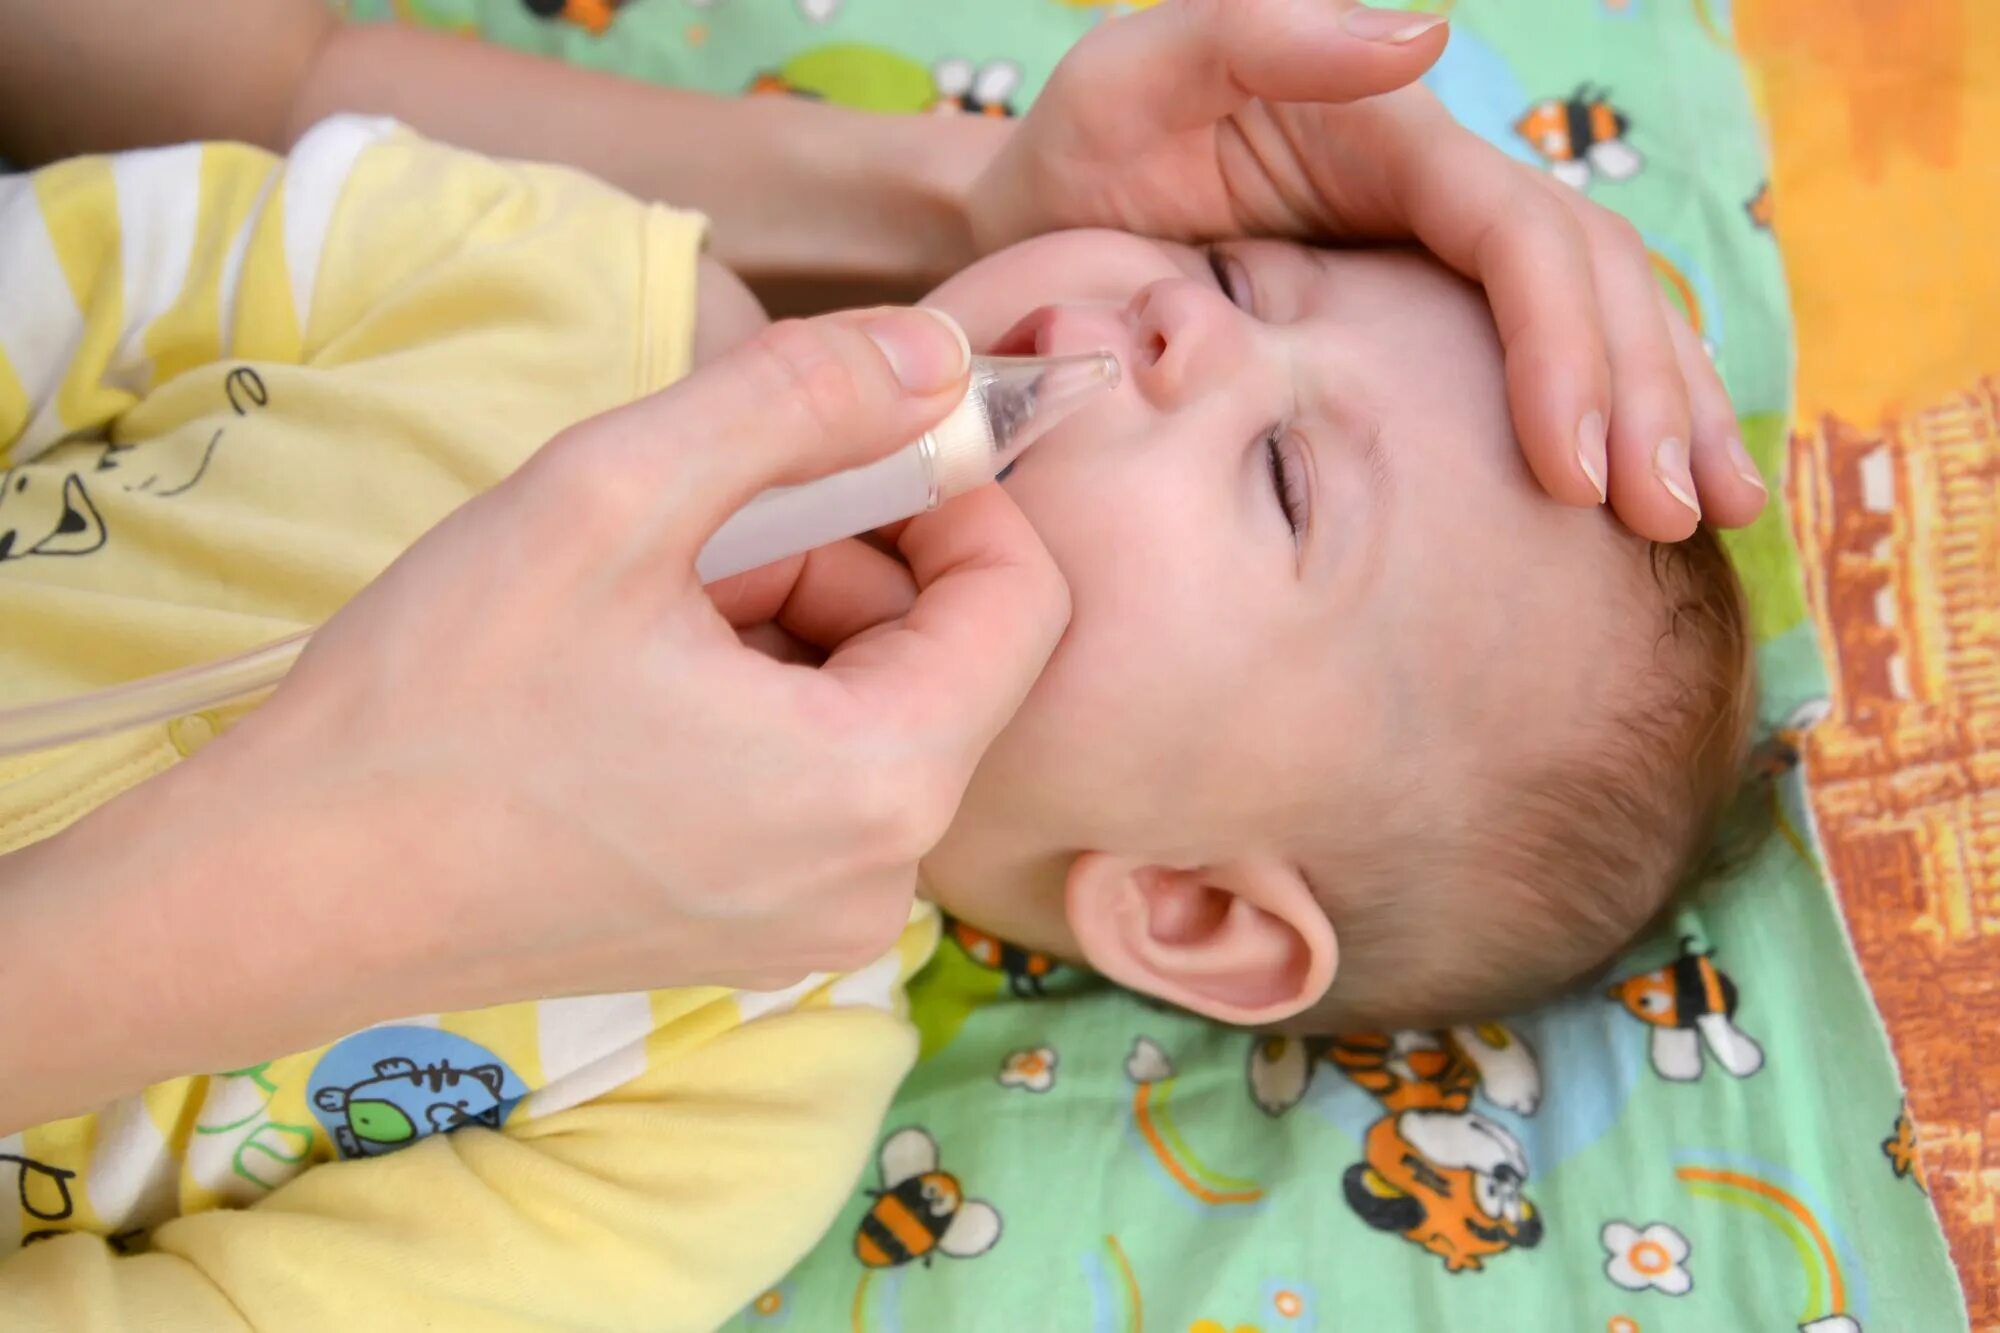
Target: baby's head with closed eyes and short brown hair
(1353, 724)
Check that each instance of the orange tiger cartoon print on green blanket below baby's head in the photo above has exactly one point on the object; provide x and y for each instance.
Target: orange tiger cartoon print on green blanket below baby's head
(1433, 1170)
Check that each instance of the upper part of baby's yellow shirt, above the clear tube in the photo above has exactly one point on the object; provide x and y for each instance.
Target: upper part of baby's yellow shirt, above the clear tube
(347, 345)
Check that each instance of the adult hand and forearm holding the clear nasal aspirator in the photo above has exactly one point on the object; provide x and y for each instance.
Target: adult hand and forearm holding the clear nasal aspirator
(535, 760)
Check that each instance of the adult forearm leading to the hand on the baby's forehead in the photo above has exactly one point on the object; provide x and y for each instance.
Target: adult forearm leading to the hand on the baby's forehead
(797, 191)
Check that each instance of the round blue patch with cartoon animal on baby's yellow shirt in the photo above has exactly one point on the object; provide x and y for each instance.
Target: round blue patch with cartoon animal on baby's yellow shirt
(413, 1082)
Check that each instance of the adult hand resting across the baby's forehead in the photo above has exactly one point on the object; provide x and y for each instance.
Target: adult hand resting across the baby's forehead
(1207, 119)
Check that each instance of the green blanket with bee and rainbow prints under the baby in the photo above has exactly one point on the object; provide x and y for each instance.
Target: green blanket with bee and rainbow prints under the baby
(1717, 1144)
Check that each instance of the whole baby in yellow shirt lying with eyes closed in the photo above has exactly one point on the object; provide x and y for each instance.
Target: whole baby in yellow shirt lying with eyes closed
(1353, 726)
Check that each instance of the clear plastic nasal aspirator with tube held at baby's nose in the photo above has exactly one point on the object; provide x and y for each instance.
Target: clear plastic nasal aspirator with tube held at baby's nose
(1009, 405)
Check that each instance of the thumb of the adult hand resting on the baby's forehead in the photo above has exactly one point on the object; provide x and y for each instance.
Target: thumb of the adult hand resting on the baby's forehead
(1191, 63)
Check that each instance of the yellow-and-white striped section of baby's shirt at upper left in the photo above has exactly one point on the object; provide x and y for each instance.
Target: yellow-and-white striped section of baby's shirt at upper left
(125, 271)
